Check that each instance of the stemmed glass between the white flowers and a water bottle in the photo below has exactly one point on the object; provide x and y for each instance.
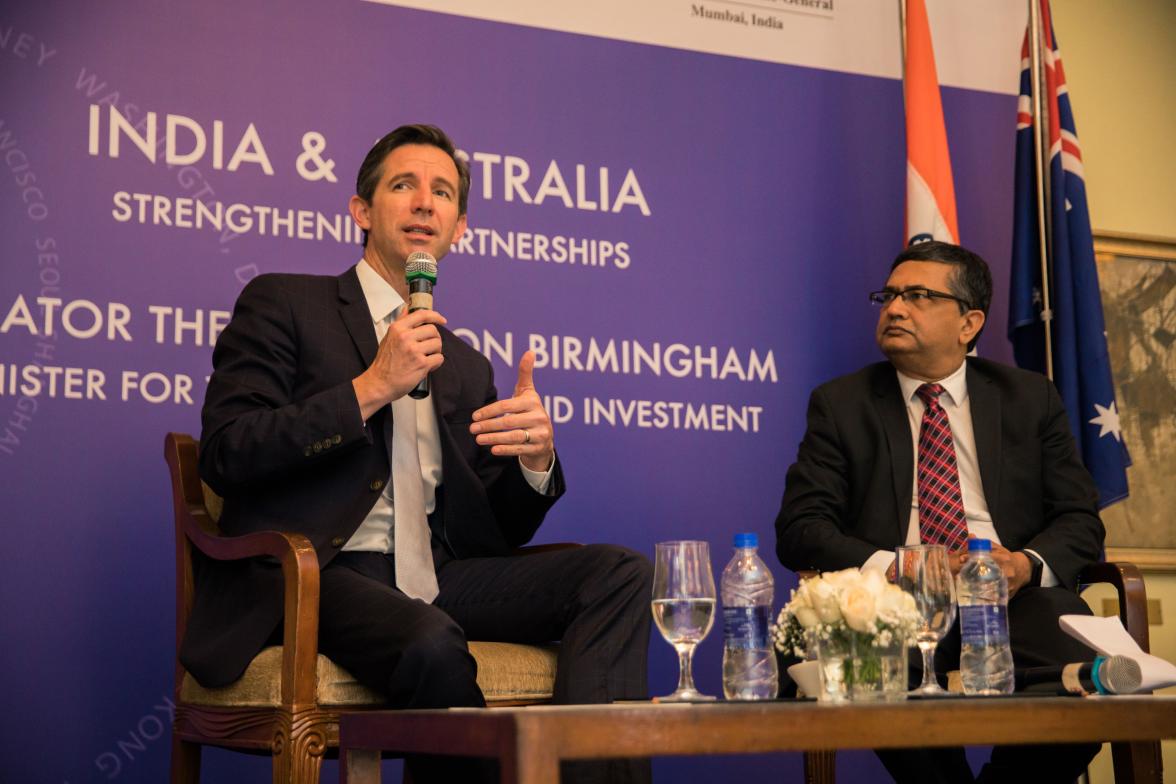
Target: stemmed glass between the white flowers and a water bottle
(923, 571)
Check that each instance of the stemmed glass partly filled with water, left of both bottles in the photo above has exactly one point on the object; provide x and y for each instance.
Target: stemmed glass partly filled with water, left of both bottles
(684, 606)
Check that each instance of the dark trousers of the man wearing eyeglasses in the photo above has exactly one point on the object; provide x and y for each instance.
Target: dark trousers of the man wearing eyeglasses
(1037, 641)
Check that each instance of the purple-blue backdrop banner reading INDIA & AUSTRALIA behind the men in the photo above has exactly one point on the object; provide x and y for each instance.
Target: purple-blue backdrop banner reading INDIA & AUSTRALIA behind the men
(684, 236)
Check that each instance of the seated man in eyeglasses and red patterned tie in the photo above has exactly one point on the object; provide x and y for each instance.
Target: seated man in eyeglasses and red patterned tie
(870, 477)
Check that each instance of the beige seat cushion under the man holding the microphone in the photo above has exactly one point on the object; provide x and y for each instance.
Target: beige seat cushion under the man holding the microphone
(506, 673)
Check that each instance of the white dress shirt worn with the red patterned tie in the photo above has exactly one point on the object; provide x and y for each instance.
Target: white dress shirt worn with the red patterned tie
(958, 408)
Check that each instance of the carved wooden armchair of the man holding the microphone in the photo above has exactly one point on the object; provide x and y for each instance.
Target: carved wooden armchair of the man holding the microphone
(289, 702)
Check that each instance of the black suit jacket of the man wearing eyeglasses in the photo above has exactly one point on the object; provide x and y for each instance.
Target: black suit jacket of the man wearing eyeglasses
(848, 494)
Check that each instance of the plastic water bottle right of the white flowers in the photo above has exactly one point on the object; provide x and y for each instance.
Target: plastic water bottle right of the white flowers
(986, 660)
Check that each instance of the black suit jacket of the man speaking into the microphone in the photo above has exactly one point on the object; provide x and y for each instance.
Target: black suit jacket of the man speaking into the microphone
(285, 445)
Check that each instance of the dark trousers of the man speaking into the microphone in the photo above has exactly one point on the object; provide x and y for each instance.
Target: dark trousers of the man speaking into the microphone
(594, 600)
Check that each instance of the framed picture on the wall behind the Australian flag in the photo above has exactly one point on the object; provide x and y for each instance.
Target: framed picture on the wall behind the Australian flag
(1138, 278)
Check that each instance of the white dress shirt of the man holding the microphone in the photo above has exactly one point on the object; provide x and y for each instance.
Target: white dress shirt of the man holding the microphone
(376, 533)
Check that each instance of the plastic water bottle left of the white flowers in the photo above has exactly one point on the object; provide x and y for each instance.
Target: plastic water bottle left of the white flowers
(750, 660)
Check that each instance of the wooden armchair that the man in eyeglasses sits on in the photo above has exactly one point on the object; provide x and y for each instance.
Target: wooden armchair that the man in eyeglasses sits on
(1134, 762)
